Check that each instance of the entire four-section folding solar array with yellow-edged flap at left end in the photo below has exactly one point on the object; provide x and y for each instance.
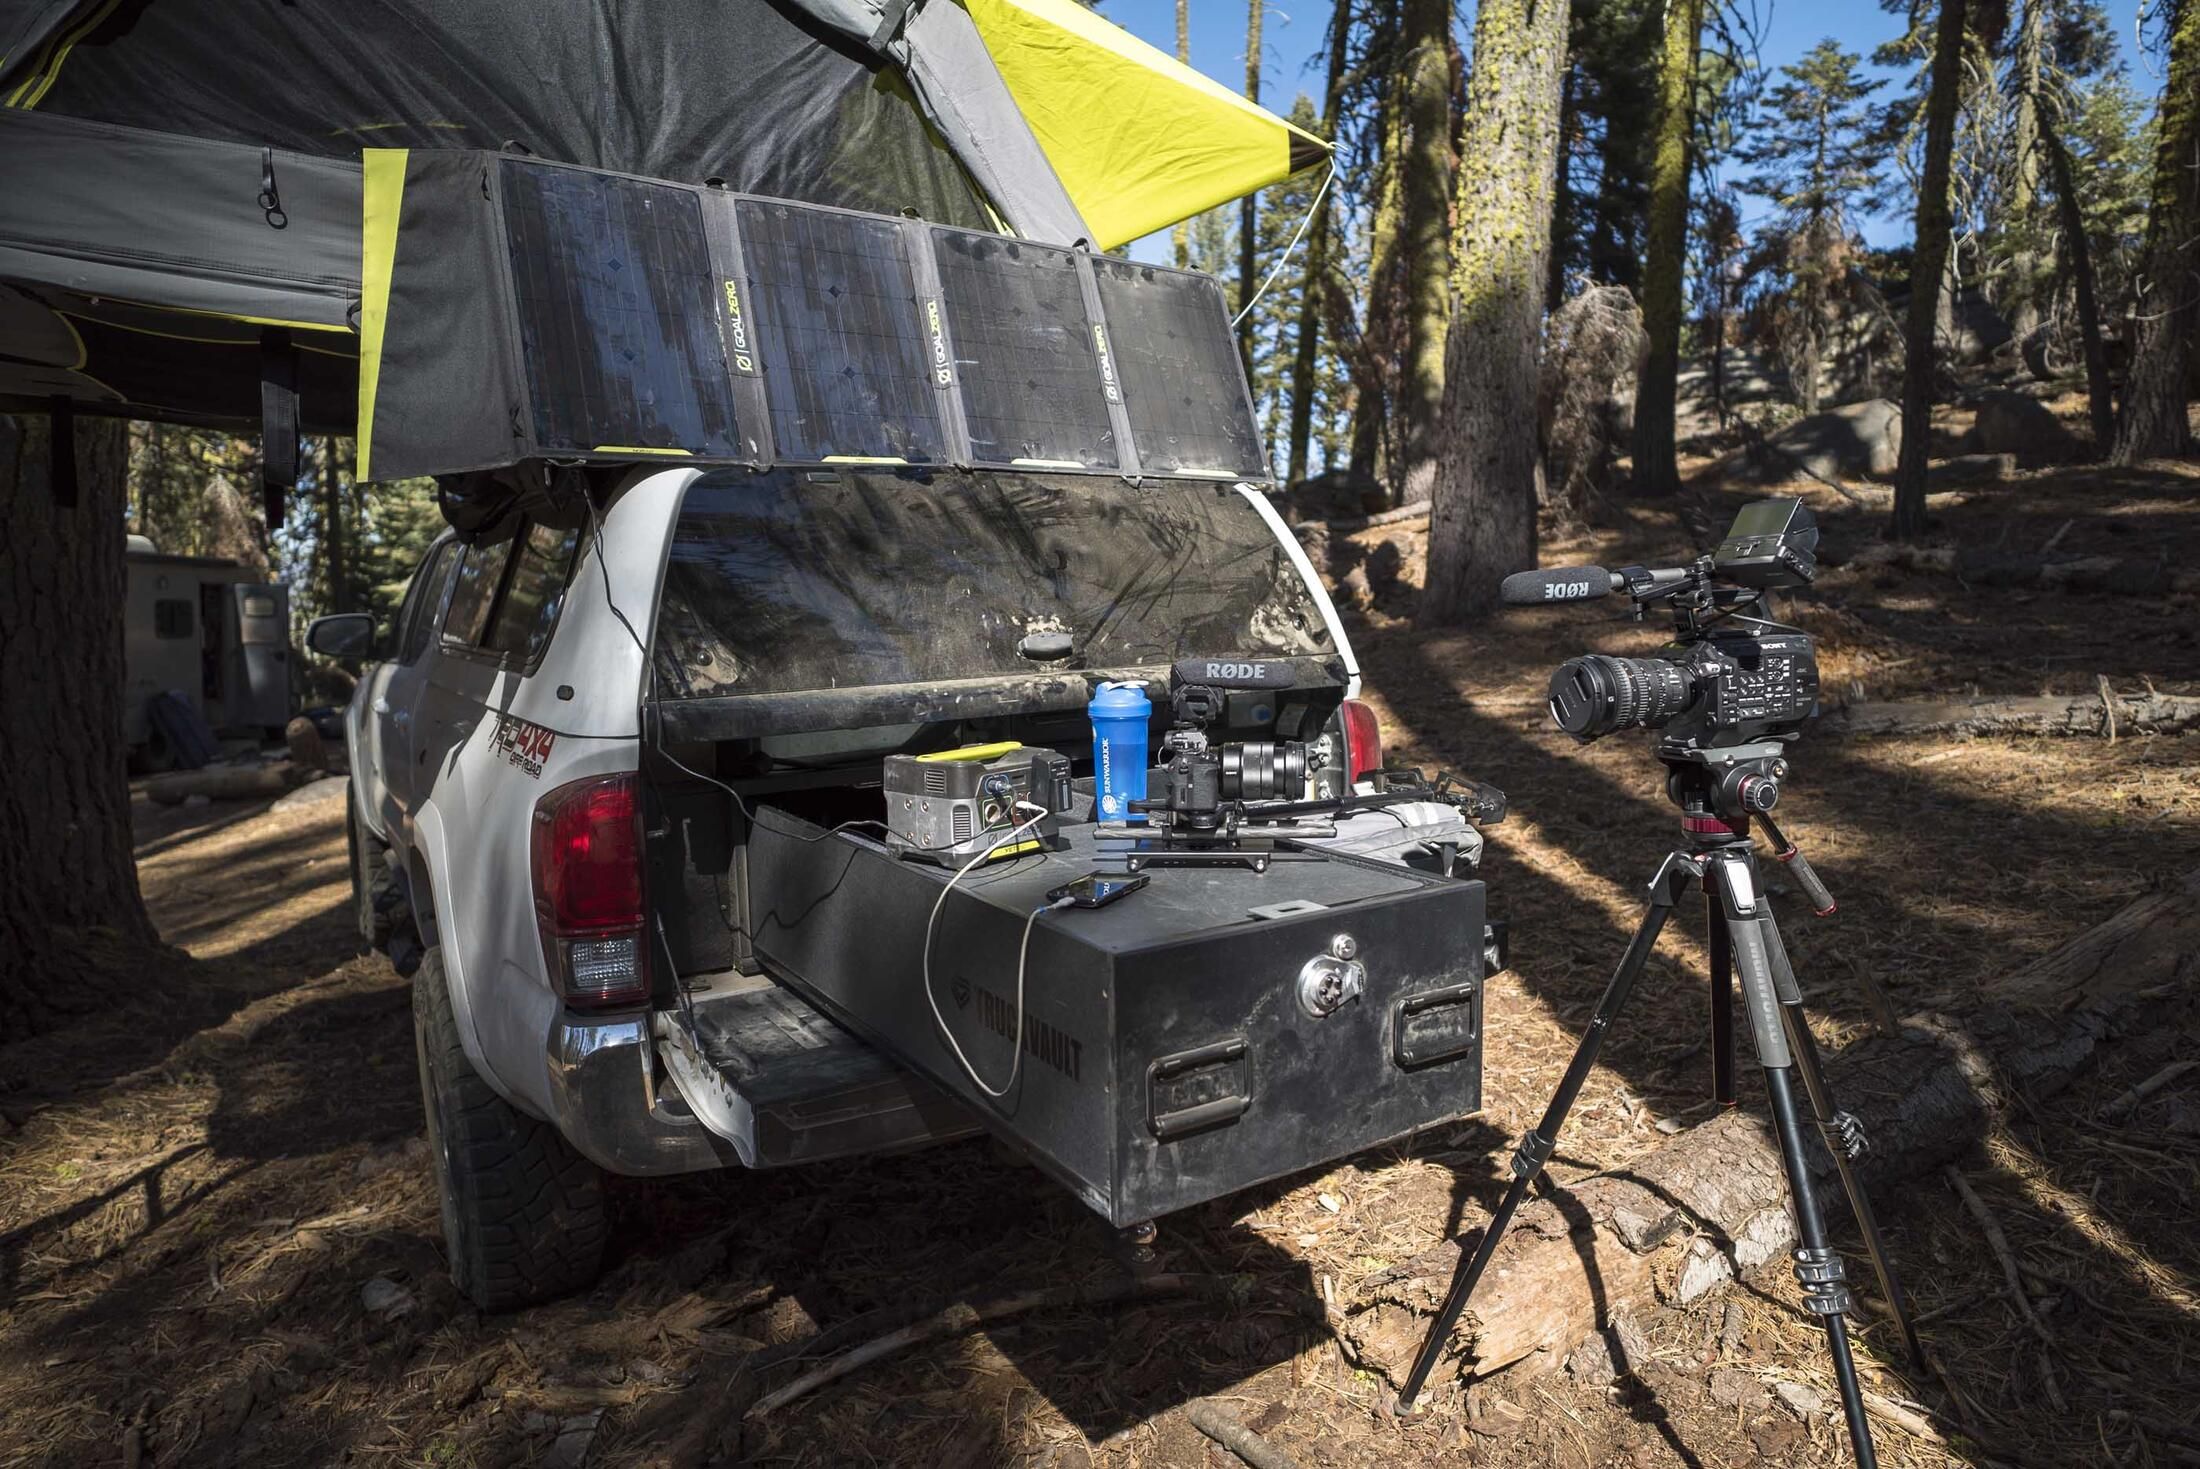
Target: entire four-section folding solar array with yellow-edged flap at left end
(538, 311)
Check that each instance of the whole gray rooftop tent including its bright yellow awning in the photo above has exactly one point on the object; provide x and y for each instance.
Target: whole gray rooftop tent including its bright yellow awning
(181, 223)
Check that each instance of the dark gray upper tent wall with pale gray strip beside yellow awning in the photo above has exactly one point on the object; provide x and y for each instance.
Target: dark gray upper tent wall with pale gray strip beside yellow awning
(782, 98)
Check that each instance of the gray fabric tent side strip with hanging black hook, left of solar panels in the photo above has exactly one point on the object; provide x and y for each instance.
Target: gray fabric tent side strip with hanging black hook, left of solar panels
(173, 221)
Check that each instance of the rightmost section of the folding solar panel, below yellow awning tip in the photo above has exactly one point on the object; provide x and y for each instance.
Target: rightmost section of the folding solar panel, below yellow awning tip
(1180, 373)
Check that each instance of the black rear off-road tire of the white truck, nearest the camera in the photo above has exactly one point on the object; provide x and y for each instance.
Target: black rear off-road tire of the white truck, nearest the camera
(522, 1213)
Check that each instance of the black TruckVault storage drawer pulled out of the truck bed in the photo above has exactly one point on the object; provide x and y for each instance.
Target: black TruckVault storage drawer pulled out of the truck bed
(1167, 1057)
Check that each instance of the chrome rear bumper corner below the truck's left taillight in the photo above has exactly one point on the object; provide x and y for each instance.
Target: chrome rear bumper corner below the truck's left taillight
(604, 1098)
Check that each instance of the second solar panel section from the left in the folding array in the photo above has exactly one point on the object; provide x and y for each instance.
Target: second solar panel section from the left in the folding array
(839, 335)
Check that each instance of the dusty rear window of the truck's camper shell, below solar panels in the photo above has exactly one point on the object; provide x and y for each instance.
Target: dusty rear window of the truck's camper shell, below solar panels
(789, 582)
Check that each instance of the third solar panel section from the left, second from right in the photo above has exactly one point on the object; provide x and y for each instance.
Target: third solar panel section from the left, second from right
(1026, 353)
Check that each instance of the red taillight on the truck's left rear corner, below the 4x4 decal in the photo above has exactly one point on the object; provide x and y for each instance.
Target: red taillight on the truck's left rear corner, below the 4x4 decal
(586, 852)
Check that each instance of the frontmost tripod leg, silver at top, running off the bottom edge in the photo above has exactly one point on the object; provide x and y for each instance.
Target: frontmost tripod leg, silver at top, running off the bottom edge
(1818, 1270)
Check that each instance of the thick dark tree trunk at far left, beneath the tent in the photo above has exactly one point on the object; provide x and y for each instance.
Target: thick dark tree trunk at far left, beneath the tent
(67, 874)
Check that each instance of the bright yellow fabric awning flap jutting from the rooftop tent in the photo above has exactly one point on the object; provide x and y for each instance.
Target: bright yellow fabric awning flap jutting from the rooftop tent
(1136, 137)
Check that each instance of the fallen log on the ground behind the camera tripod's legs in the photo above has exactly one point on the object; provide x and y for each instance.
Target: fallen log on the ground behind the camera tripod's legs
(1710, 1204)
